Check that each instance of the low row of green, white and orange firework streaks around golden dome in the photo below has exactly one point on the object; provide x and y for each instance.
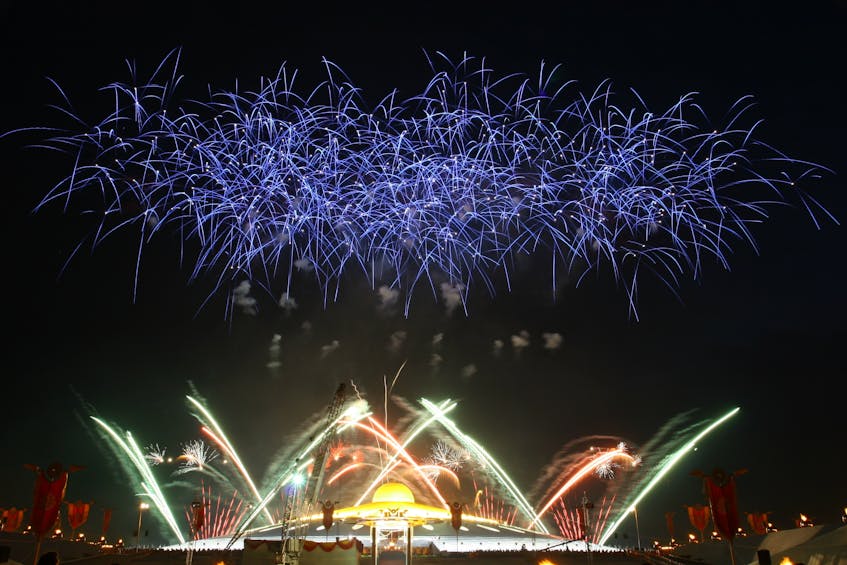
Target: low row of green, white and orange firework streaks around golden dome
(367, 454)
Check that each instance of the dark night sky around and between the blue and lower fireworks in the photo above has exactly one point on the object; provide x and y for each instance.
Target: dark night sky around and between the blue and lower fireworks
(767, 335)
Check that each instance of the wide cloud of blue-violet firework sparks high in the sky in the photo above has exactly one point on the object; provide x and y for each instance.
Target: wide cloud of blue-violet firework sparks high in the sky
(450, 183)
